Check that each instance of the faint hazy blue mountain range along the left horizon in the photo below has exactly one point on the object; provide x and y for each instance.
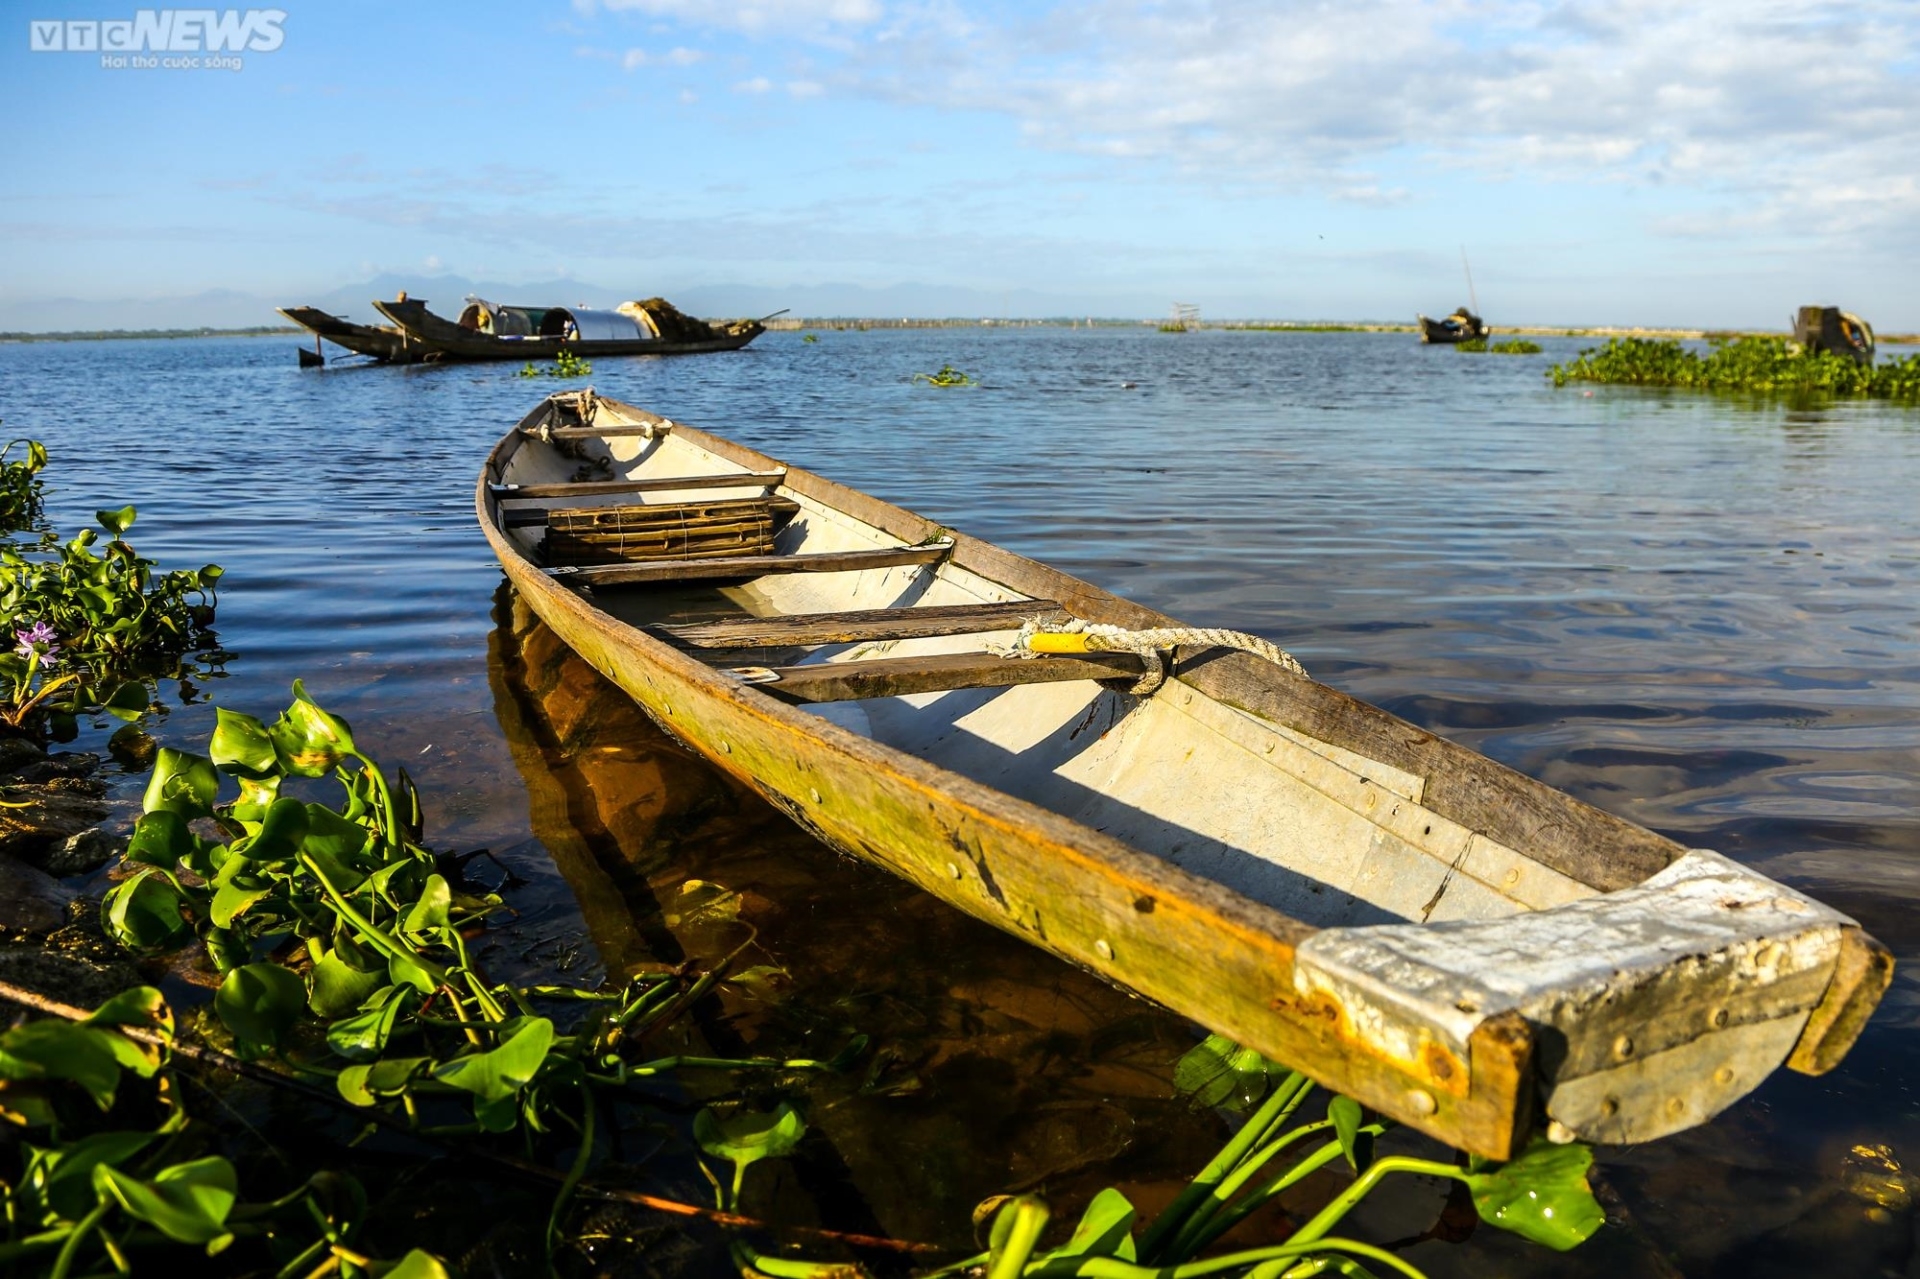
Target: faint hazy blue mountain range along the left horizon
(226, 308)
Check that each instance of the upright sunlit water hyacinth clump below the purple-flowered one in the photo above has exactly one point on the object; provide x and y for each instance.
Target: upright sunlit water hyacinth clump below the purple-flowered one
(377, 994)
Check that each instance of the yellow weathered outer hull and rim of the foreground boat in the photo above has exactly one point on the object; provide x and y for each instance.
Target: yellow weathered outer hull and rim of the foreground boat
(1322, 1000)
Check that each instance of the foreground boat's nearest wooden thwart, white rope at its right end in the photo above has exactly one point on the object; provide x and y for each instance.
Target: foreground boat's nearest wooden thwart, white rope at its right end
(896, 677)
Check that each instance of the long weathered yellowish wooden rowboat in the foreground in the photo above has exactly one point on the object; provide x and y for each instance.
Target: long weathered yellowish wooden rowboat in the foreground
(1408, 923)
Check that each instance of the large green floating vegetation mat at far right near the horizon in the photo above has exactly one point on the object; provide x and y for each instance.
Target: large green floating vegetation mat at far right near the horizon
(1746, 364)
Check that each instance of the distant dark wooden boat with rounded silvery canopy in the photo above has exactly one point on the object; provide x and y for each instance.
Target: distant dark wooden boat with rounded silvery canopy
(489, 331)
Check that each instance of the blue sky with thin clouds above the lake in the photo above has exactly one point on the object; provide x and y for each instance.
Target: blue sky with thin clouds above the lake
(1629, 162)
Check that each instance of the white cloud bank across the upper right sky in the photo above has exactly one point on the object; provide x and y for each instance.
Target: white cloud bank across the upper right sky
(1787, 110)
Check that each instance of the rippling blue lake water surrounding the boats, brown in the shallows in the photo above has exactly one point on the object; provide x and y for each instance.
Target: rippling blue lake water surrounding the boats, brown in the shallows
(1698, 614)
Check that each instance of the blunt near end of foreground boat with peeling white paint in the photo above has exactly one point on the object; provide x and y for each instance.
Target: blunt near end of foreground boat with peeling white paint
(1650, 1009)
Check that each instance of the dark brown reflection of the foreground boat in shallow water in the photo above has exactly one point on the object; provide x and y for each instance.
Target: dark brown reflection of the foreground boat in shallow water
(992, 1069)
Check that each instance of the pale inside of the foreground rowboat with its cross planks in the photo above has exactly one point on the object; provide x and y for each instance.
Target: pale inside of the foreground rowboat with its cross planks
(901, 644)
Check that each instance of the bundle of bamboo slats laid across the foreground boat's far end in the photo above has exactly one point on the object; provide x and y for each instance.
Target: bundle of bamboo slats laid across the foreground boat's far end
(667, 531)
